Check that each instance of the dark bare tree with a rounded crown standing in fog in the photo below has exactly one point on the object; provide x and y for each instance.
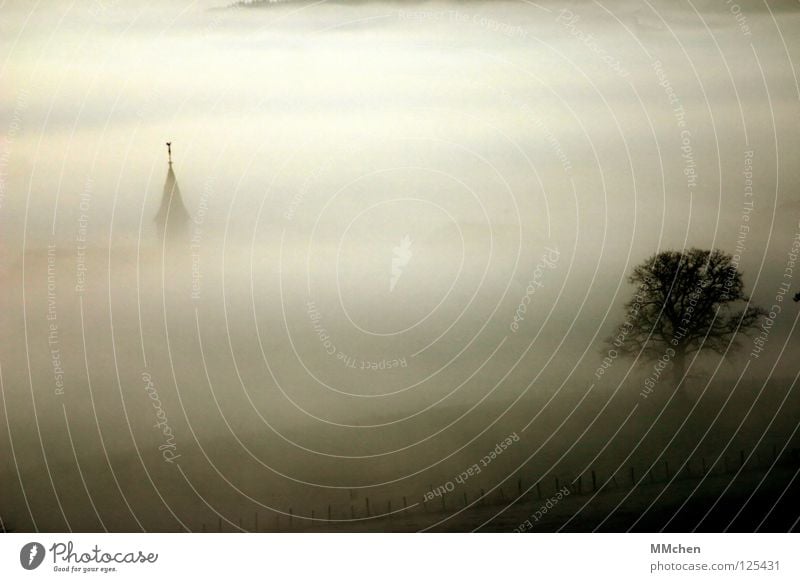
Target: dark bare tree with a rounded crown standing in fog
(685, 302)
